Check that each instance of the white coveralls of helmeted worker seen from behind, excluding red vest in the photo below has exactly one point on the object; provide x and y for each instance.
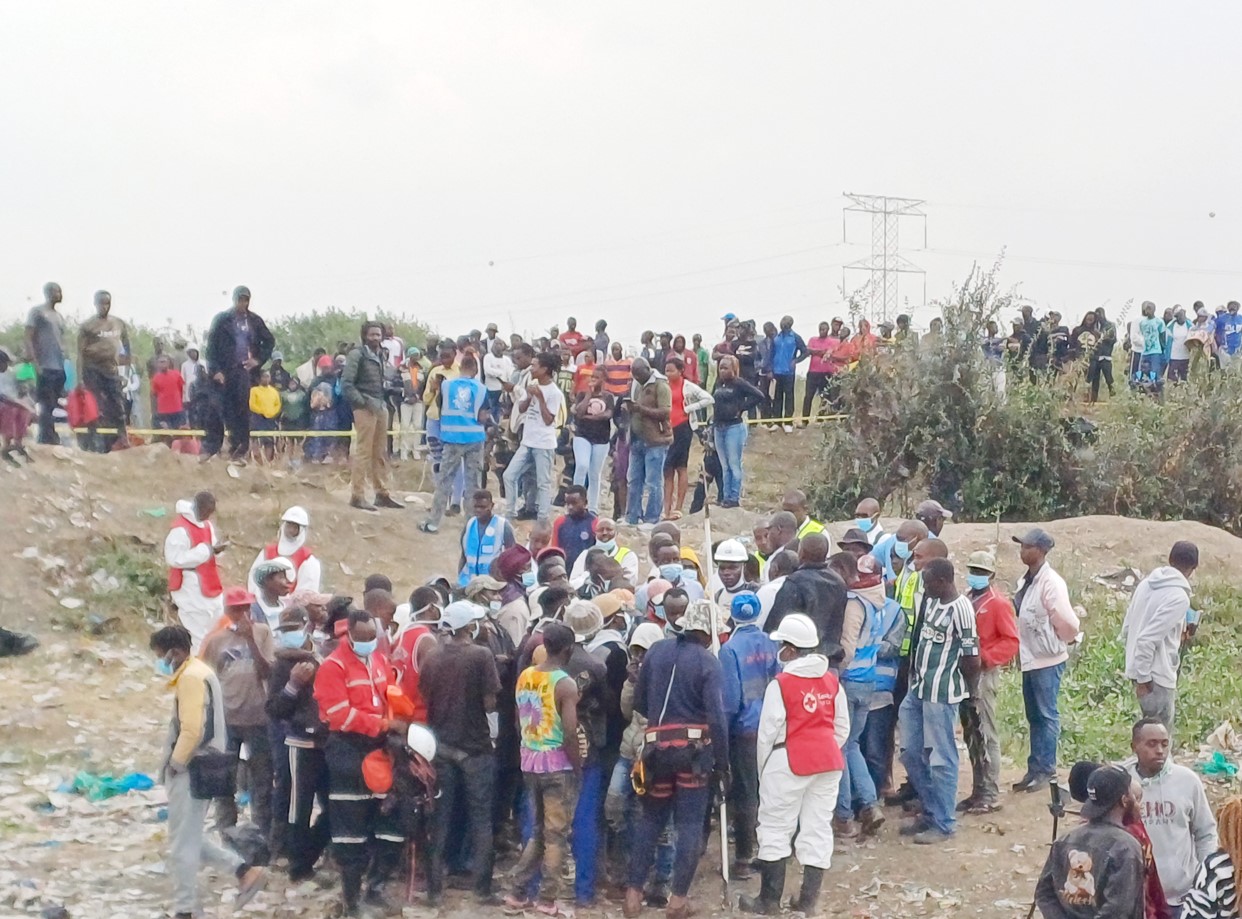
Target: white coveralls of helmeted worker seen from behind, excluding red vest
(788, 803)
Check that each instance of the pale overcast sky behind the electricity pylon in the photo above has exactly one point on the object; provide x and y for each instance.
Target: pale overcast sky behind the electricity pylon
(650, 163)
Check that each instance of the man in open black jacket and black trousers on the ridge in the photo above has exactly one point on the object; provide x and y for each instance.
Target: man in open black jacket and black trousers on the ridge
(238, 346)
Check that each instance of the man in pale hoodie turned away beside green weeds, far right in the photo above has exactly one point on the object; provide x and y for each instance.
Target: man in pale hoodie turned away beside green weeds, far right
(1153, 630)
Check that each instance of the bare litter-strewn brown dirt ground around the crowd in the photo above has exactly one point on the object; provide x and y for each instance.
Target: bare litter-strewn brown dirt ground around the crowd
(88, 702)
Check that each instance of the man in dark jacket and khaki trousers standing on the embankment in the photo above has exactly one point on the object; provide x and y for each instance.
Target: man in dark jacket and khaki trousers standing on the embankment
(362, 383)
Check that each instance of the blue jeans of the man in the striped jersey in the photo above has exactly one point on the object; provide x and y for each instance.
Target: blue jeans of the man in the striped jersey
(930, 753)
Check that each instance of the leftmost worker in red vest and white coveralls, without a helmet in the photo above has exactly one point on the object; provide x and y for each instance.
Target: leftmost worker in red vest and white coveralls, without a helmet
(191, 551)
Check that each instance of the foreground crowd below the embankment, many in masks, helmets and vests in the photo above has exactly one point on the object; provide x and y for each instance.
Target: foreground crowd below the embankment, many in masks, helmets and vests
(552, 721)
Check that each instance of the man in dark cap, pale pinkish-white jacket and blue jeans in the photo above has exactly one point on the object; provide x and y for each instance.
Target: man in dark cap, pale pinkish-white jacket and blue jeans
(1046, 623)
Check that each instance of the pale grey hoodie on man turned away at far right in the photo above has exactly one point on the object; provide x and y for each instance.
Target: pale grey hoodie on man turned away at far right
(1153, 628)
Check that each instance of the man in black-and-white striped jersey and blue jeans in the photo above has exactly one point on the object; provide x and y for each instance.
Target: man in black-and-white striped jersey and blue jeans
(945, 668)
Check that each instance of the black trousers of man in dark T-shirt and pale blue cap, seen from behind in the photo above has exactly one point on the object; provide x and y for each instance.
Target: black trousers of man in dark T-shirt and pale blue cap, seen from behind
(473, 781)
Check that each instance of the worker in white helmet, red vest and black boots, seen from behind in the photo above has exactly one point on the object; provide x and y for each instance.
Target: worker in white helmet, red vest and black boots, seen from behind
(804, 725)
